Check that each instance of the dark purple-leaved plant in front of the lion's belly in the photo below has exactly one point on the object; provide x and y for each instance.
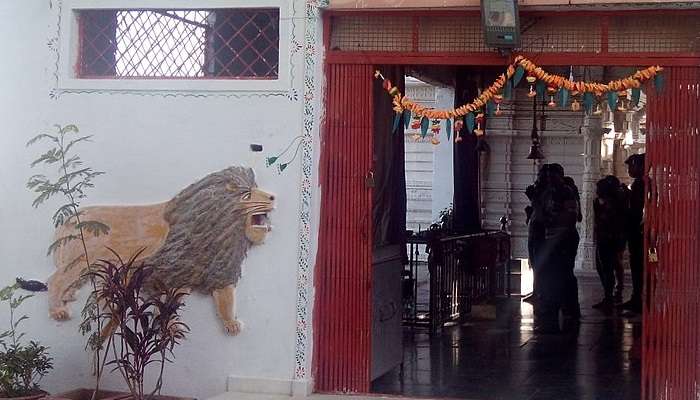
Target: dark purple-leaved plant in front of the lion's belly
(142, 325)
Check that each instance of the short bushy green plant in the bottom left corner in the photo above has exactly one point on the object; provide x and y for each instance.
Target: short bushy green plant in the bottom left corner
(21, 365)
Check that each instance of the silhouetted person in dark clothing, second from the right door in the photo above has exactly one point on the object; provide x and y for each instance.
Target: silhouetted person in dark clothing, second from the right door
(609, 210)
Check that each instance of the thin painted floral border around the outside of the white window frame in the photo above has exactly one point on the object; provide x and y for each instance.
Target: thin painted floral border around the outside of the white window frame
(54, 41)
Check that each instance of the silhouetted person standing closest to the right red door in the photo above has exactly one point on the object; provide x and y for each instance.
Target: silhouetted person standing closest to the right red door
(635, 231)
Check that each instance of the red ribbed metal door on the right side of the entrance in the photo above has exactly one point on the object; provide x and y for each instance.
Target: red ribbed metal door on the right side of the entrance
(671, 339)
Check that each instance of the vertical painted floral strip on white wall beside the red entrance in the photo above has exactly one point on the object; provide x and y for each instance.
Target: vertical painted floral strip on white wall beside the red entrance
(310, 120)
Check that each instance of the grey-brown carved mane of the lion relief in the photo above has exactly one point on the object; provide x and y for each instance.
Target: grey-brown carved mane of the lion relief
(206, 244)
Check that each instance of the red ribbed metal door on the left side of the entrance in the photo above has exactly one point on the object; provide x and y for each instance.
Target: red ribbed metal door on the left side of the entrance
(342, 320)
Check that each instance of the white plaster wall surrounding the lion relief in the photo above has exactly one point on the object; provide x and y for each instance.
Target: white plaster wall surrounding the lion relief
(151, 147)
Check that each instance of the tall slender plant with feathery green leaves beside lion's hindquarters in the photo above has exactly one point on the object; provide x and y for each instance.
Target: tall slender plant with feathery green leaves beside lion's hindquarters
(71, 182)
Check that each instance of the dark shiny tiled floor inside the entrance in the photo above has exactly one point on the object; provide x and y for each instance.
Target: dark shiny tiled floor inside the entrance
(504, 359)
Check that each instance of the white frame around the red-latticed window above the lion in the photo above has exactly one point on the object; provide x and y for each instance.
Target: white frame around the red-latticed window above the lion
(69, 50)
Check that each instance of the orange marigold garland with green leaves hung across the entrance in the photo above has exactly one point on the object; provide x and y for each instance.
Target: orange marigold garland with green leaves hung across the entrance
(520, 66)
